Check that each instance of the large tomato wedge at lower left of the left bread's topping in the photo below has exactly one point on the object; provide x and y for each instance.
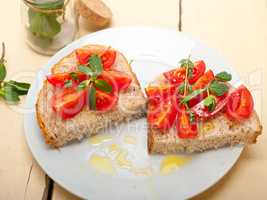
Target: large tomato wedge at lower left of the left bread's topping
(68, 102)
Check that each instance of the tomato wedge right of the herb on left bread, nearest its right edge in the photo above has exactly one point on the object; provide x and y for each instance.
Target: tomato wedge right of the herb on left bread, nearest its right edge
(119, 80)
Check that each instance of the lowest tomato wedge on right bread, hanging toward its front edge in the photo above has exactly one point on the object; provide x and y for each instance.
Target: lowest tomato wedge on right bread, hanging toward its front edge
(185, 128)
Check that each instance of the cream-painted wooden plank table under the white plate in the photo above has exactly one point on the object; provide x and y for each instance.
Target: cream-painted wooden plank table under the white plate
(237, 29)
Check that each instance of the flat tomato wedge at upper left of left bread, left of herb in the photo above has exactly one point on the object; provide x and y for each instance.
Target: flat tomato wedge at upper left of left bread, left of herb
(59, 79)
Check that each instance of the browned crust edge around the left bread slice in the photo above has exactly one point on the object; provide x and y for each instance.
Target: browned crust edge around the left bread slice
(49, 137)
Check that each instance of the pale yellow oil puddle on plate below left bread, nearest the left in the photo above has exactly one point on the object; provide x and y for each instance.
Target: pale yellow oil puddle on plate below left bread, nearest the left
(102, 164)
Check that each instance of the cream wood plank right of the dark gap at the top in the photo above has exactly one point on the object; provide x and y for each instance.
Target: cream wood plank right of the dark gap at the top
(237, 29)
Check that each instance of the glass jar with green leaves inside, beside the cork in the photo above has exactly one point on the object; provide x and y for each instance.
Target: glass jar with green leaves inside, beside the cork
(49, 24)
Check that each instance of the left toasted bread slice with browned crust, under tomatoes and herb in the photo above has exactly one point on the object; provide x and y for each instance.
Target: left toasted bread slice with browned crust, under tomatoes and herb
(57, 132)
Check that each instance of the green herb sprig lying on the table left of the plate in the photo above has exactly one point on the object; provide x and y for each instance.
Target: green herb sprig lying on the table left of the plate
(10, 90)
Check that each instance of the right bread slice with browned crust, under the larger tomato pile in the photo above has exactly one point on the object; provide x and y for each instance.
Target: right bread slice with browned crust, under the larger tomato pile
(214, 133)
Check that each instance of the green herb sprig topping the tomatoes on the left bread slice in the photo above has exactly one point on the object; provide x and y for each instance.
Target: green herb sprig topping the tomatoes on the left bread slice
(93, 69)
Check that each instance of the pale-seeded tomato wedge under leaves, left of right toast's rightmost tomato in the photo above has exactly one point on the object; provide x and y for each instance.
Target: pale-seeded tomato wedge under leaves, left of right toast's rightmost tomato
(202, 112)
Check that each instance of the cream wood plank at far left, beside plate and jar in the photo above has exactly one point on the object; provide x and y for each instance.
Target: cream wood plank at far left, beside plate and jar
(16, 160)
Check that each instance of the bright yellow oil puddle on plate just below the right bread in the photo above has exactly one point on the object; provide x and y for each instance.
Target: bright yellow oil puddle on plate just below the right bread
(172, 162)
